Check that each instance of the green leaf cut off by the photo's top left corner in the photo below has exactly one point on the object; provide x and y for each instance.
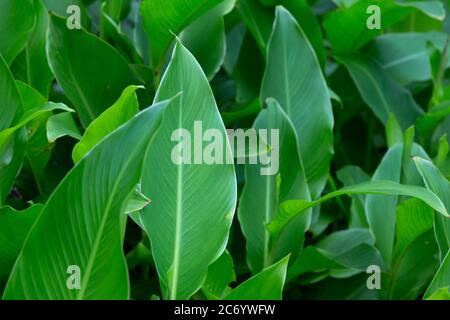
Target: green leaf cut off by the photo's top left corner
(16, 21)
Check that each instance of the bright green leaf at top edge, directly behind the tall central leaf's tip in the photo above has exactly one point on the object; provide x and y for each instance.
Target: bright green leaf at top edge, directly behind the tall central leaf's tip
(162, 18)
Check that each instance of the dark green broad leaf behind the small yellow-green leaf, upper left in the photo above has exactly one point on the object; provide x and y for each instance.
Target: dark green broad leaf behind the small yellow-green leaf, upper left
(91, 72)
